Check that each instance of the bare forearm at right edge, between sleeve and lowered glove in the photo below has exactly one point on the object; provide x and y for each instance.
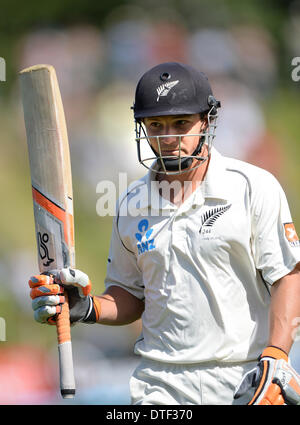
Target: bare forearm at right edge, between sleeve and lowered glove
(284, 310)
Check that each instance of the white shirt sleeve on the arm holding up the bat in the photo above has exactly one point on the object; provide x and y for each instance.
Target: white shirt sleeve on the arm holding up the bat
(122, 269)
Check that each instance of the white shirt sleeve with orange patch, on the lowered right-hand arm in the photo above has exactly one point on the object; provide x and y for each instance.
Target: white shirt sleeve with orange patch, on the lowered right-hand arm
(275, 243)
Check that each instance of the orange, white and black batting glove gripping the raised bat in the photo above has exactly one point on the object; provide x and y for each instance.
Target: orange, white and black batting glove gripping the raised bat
(47, 296)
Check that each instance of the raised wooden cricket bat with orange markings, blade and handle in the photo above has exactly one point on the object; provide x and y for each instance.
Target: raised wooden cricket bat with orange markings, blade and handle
(51, 180)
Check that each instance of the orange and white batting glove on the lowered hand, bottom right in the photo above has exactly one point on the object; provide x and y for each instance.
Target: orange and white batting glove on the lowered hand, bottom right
(274, 381)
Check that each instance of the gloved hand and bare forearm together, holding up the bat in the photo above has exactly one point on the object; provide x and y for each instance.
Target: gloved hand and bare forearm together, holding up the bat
(115, 306)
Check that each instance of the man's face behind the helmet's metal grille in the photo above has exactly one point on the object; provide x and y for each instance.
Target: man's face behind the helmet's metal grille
(189, 126)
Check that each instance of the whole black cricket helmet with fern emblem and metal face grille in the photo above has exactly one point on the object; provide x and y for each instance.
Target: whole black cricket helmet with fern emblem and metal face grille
(174, 88)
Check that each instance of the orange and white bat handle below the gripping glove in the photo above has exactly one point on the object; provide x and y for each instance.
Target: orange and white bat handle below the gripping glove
(67, 381)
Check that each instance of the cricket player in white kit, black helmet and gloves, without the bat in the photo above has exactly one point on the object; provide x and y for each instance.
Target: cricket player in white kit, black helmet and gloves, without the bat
(204, 250)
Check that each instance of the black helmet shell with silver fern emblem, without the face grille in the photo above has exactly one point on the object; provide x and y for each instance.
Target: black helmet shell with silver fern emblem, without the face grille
(172, 88)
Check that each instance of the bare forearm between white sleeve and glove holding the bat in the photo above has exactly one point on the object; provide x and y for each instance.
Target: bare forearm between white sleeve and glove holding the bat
(119, 307)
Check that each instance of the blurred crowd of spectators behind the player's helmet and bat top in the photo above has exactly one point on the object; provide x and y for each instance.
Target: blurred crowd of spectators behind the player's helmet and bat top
(98, 71)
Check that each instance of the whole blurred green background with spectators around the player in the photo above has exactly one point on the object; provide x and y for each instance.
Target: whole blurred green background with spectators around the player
(99, 50)
